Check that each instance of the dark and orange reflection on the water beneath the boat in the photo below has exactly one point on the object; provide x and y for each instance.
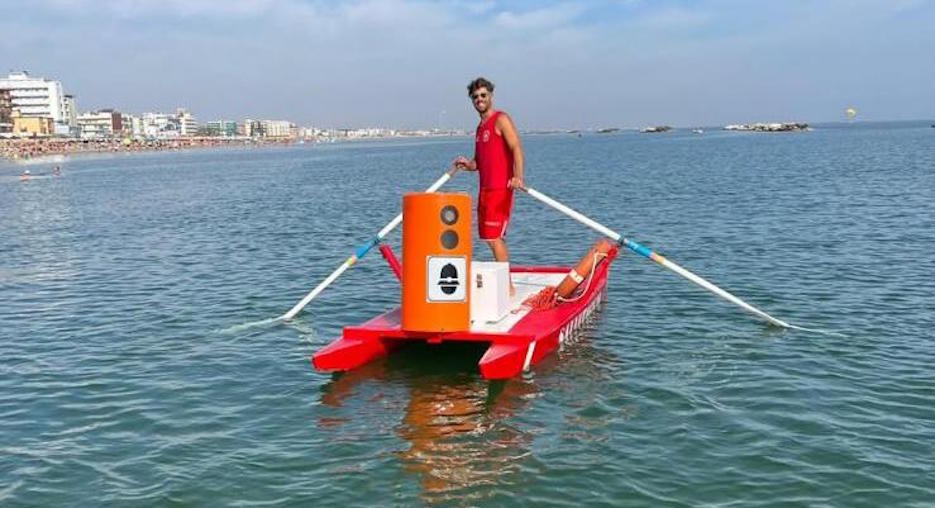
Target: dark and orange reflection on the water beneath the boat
(456, 424)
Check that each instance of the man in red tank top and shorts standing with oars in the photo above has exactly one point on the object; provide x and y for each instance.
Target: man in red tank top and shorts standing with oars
(498, 159)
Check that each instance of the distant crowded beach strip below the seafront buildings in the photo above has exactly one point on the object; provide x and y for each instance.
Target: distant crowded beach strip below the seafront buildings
(26, 149)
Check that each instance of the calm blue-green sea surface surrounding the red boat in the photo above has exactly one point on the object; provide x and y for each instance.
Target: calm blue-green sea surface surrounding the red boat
(121, 383)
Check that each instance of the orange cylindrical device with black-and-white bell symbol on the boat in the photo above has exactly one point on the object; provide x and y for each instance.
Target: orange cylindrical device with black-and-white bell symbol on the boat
(436, 260)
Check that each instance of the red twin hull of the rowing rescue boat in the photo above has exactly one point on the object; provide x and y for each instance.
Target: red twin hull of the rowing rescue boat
(531, 339)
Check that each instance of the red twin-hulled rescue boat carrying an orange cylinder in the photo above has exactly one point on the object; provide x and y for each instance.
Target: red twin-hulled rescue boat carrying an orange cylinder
(447, 297)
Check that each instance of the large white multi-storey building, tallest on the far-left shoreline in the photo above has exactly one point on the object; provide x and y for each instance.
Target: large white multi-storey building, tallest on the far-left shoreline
(38, 98)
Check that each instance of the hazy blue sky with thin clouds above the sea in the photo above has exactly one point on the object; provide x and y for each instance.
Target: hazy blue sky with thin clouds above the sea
(555, 64)
